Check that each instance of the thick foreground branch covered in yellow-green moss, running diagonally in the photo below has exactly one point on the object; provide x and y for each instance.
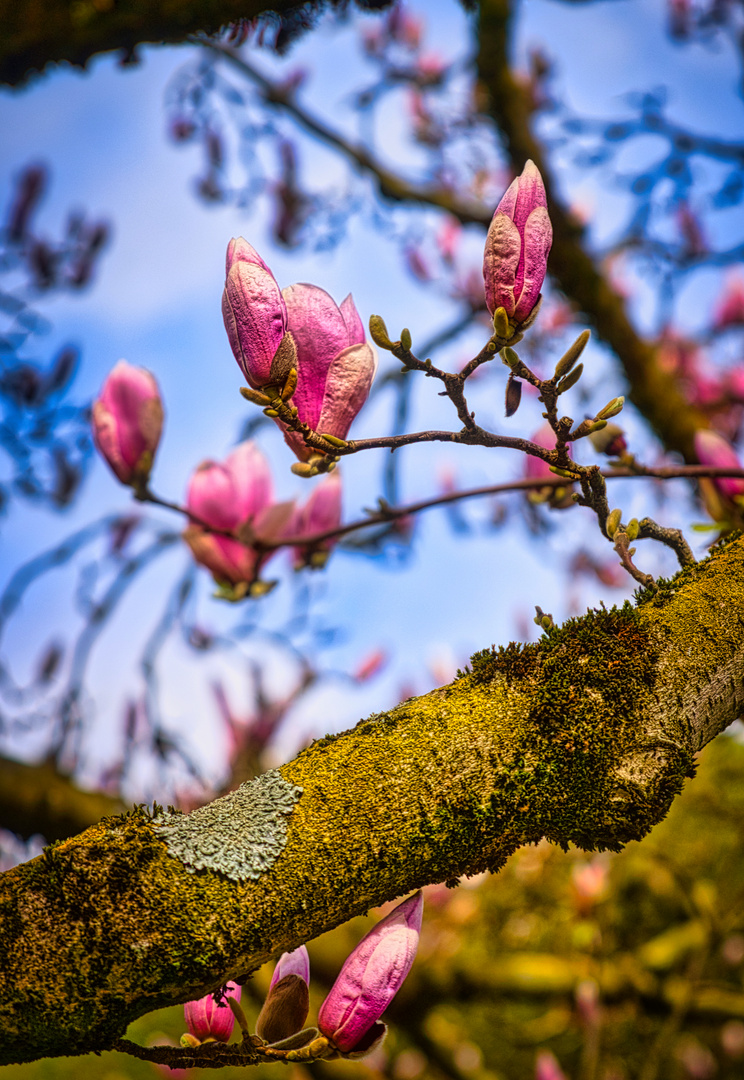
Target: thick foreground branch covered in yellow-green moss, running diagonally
(586, 738)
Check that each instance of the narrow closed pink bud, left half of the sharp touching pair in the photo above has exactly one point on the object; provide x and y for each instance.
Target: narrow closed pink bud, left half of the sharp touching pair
(255, 314)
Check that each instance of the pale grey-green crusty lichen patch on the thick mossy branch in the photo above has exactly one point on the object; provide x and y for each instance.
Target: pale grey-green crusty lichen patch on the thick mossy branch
(240, 835)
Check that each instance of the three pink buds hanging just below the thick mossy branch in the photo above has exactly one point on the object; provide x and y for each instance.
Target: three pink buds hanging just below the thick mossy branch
(349, 1020)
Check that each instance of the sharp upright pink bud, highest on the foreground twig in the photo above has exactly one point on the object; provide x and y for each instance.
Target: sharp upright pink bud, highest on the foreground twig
(519, 240)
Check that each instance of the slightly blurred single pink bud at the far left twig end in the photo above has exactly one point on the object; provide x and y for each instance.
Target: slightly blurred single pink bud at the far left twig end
(128, 421)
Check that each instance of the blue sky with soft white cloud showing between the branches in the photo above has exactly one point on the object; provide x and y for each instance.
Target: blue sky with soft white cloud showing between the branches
(156, 303)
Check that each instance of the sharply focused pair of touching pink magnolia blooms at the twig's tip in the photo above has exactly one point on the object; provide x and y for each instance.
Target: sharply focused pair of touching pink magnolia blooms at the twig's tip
(296, 346)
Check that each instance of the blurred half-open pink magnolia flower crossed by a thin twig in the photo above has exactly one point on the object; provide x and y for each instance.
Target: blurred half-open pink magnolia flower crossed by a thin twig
(237, 495)
